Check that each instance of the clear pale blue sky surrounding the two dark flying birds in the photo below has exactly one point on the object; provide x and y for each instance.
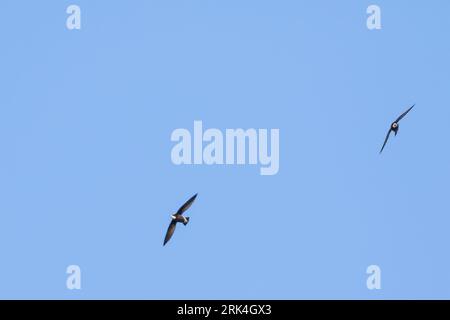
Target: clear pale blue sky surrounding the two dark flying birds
(86, 176)
